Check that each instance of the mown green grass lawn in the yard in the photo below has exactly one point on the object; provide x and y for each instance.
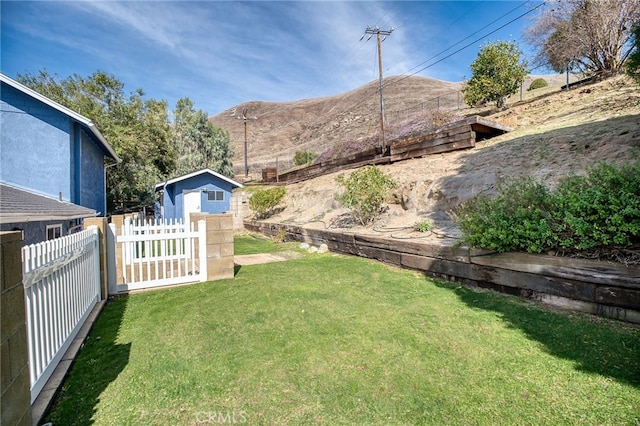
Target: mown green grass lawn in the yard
(329, 339)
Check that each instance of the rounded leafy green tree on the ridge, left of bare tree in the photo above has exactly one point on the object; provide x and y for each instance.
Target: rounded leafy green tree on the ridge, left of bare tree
(498, 72)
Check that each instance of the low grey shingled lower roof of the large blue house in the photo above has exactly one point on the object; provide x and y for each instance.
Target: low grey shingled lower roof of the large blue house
(19, 206)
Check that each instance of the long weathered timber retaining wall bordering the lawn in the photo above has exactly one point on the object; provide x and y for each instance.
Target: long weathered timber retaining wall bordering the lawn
(608, 290)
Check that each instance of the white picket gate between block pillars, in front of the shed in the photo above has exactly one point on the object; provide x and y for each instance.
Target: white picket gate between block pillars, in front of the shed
(152, 254)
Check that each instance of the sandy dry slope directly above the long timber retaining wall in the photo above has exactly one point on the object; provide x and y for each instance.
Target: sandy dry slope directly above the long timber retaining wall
(557, 133)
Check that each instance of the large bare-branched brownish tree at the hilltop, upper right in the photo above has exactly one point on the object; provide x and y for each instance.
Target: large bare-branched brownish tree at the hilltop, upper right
(584, 35)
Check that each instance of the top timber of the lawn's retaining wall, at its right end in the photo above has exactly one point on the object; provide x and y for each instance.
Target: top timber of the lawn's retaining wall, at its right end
(563, 267)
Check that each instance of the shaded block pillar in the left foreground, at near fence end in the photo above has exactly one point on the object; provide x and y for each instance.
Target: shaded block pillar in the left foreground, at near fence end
(15, 395)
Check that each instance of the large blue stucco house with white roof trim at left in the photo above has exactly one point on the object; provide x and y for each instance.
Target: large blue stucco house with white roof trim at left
(52, 165)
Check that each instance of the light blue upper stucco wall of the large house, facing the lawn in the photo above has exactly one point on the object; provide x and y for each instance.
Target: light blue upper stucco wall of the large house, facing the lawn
(35, 137)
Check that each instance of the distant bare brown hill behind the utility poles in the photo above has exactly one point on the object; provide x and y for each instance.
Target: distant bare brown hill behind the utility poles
(276, 130)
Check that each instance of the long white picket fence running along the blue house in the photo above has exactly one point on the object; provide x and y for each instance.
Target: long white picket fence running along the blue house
(62, 285)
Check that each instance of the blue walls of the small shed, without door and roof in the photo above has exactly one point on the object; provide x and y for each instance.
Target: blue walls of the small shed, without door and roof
(173, 195)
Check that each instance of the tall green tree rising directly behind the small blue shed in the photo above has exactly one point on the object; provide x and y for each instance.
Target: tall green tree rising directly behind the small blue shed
(198, 143)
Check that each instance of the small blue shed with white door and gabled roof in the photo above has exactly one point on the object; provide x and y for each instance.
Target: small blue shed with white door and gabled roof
(203, 191)
